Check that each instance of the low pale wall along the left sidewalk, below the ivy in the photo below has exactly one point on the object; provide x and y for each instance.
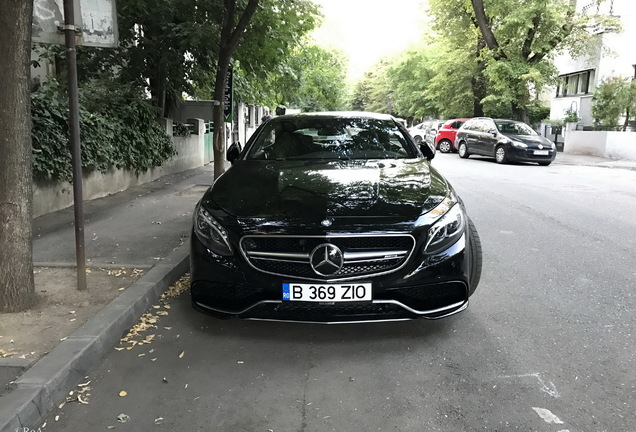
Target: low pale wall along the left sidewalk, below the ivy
(52, 196)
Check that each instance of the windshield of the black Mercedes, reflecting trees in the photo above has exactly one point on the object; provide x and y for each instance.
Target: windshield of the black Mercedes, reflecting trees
(330, 138)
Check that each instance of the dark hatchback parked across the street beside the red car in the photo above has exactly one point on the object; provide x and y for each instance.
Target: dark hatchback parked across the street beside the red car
(505, 140)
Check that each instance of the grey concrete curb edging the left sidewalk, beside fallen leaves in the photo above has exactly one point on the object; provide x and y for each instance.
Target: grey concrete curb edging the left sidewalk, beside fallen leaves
(47, 382)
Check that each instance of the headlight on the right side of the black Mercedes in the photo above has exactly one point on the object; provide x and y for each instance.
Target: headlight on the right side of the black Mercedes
(448, 229)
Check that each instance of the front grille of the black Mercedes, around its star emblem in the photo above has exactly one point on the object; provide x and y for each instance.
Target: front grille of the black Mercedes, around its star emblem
(363, 256)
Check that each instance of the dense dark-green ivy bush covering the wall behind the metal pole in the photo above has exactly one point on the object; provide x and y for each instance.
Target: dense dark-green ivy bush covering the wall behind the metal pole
(118, 128)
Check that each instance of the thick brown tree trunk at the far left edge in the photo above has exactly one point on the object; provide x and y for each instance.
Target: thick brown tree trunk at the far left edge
(17, 291)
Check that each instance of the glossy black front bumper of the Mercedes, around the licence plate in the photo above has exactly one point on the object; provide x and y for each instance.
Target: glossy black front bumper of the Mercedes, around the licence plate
(427, 286)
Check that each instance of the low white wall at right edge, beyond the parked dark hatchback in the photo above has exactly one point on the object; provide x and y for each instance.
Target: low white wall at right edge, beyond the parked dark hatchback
(614, 145)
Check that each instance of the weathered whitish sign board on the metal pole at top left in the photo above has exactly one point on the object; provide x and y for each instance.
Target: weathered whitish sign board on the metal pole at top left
(95, 19)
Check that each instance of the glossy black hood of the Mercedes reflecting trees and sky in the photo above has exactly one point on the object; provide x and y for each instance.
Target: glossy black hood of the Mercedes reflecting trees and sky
(317, 189)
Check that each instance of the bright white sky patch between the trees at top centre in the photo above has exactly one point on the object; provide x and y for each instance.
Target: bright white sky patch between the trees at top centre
(367, 30)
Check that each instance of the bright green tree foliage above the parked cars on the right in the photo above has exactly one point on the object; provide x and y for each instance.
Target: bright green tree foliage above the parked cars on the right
(481, 57)
